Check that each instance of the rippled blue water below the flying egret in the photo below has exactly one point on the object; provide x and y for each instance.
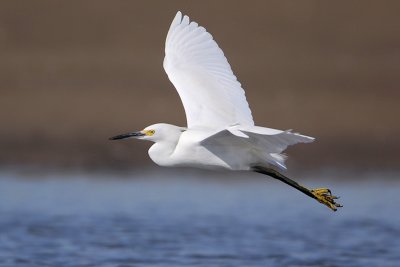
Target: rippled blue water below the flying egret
(187, 220)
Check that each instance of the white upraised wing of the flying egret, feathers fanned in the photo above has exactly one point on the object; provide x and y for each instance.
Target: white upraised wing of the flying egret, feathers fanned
(210, 93)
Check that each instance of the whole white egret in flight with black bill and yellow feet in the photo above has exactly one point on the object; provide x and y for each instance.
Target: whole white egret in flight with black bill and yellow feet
(220, 130)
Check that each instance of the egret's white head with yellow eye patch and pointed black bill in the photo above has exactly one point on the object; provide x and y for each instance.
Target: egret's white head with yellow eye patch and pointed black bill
(156, 132)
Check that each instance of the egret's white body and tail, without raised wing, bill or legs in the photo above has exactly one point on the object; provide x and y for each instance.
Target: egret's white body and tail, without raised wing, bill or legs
(220, 149)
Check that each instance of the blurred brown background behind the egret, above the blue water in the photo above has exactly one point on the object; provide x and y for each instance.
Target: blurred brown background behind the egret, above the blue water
(73, 73)
